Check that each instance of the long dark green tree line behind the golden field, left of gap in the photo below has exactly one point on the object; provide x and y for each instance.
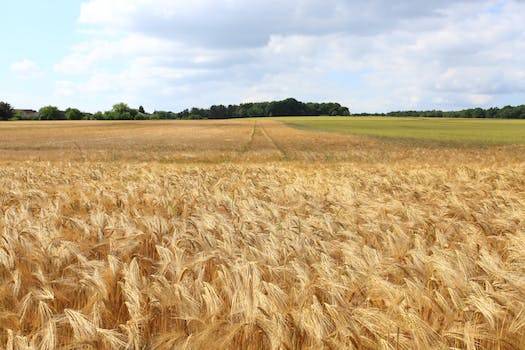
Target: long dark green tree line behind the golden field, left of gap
(121, 111)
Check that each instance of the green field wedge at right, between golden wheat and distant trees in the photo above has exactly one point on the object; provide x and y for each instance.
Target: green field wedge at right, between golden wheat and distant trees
(472, 131)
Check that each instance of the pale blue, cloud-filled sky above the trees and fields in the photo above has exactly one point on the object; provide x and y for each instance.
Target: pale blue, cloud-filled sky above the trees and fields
(373, 56)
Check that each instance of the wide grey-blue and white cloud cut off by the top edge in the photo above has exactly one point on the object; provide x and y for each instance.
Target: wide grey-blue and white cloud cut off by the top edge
(240, 23)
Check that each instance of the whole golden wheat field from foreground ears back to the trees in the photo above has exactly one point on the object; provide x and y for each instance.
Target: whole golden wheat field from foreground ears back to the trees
(278, 239)
